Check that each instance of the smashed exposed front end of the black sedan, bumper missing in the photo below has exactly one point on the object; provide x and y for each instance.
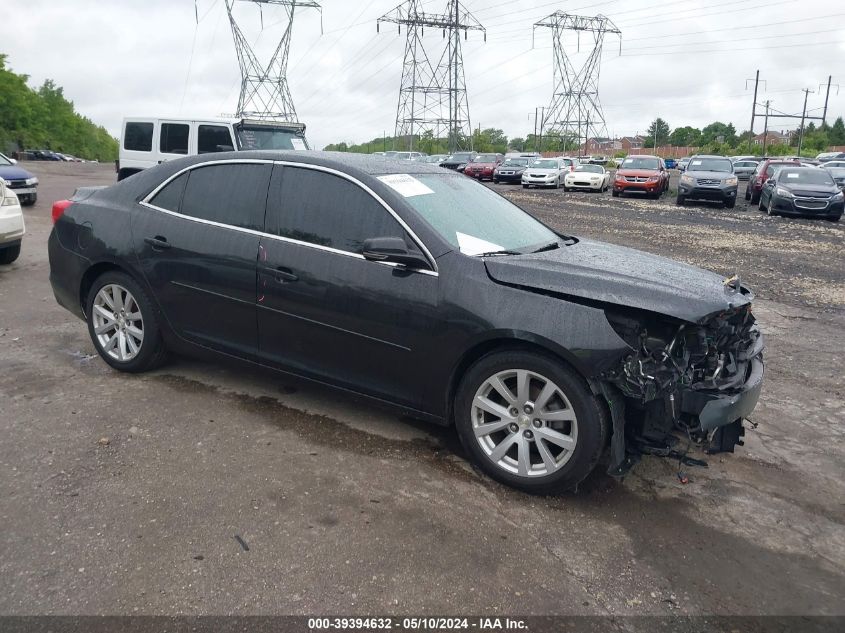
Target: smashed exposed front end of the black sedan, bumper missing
(701, 379)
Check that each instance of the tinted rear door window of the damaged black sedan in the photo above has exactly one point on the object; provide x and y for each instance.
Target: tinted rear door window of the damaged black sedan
(230, 193)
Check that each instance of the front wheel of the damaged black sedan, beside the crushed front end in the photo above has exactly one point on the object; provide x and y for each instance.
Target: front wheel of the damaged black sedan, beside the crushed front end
(530, 422)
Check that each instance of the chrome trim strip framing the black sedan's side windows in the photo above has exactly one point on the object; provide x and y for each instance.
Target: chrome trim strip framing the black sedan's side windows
(145, 202)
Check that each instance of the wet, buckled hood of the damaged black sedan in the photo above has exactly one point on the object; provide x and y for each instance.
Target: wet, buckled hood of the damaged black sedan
(621, 276)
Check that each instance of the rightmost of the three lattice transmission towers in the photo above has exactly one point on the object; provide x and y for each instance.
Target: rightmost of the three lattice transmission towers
(574, 107)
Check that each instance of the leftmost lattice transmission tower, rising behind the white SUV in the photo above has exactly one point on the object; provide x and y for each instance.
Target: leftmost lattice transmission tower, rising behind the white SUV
(264, 89)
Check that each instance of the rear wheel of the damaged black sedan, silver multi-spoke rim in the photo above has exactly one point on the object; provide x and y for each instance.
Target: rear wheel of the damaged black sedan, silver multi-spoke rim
(123, 324)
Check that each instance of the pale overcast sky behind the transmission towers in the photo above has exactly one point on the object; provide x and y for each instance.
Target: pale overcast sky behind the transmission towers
(684, 61)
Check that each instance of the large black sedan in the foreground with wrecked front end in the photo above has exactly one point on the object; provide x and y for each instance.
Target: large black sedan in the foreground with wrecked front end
(419, 288)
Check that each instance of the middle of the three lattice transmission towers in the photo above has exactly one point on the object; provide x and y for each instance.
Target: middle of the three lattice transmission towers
(432, 94)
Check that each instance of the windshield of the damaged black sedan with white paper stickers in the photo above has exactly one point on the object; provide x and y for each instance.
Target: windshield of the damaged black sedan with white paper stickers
(475, 220)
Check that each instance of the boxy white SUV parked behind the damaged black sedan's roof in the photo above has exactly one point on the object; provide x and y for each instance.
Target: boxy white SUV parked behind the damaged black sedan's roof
(148, 141)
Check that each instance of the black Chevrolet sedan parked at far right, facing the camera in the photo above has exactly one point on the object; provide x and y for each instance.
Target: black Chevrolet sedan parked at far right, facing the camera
(806, 191)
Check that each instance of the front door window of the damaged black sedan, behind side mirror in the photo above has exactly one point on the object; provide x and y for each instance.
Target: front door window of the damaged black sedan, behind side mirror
(327, 210)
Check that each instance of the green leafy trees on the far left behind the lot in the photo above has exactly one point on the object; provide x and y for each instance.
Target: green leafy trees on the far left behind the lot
(44, 119)
